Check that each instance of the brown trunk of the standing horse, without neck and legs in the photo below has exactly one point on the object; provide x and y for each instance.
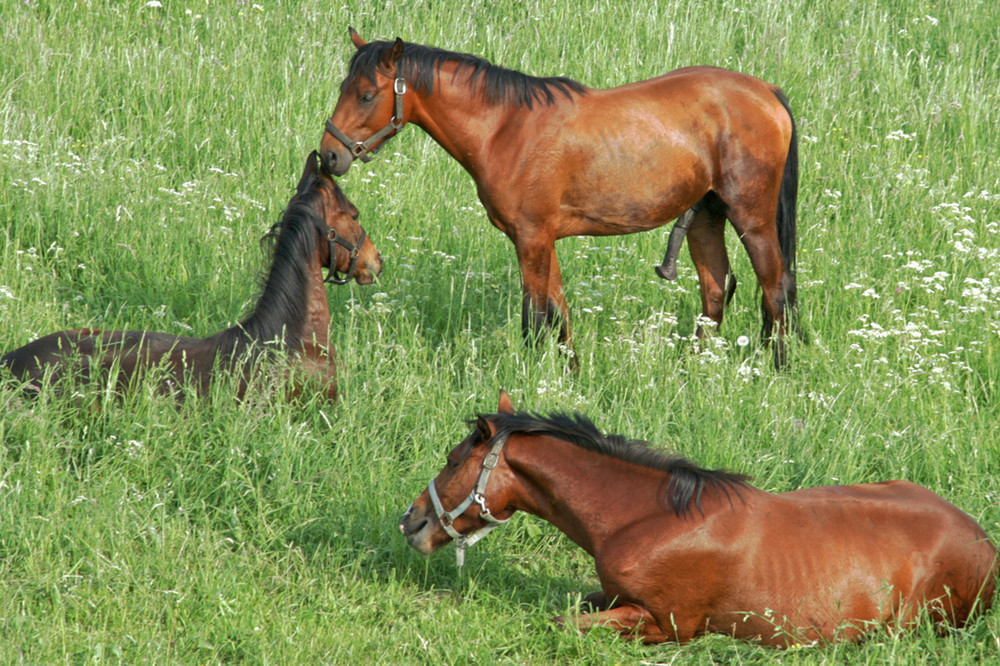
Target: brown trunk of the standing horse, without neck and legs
(658, 145)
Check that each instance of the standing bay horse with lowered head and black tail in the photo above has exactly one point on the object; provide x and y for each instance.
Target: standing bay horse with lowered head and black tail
(552, 158)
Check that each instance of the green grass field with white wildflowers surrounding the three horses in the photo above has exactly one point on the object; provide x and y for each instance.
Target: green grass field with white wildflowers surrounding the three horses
(144, 151)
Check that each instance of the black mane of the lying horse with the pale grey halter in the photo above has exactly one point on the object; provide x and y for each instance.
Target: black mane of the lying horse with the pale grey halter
(687, 480)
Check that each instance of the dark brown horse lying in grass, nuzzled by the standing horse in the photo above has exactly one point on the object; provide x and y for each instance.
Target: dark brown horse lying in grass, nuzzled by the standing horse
(319, 229)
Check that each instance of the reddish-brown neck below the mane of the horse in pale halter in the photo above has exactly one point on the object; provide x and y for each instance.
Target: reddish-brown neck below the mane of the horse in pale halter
(586, 495)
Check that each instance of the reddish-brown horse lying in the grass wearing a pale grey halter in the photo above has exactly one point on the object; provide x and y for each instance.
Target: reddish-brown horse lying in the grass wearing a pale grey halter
(682, 551)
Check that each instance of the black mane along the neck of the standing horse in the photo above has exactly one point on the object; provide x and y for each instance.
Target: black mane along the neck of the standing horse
(420, 65)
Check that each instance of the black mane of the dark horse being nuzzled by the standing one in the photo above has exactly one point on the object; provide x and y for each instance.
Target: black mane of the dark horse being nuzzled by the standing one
(280, 312)
